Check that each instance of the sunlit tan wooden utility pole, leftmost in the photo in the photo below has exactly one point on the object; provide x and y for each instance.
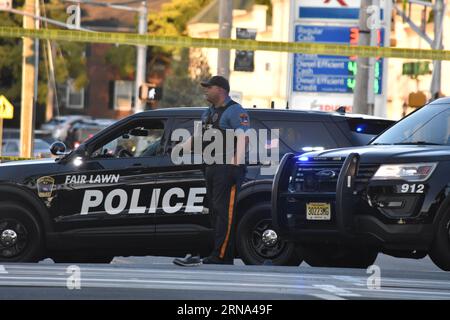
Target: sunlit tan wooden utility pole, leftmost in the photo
(29, 74)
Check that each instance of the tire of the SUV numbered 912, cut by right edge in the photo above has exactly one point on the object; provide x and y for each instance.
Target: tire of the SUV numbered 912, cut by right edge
(440, 249)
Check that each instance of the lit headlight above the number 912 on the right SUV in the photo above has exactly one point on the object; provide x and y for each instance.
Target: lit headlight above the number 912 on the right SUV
(412, 172)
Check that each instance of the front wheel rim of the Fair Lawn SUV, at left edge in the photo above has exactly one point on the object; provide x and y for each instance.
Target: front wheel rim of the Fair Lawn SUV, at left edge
(13, 238)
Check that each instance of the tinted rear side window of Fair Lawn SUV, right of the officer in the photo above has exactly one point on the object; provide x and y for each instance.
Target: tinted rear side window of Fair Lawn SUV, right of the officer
(303, 136)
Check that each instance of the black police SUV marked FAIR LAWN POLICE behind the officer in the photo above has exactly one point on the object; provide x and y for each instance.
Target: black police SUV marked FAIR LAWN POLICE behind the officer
(120, 194)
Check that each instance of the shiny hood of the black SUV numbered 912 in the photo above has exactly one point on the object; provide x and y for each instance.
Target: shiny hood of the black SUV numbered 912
(389, 153)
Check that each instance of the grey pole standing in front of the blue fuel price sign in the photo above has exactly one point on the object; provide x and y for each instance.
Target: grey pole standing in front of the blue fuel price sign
(360, 95)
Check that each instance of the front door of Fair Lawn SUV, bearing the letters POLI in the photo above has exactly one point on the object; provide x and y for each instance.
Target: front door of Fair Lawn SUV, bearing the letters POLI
(110, 192)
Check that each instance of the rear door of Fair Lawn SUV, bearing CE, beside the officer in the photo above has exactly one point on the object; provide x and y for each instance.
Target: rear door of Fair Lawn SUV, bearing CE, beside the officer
(182, 219)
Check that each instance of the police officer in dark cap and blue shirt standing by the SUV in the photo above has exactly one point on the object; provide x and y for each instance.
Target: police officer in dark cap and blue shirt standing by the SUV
(225, 174)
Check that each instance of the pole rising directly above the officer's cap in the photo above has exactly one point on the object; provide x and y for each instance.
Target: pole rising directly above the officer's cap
(225, 23)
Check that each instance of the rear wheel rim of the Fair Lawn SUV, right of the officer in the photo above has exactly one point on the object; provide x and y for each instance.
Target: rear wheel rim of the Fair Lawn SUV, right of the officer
(262, 240)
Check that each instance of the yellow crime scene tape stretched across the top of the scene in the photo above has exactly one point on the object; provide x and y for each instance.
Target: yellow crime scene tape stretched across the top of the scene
(239, 44)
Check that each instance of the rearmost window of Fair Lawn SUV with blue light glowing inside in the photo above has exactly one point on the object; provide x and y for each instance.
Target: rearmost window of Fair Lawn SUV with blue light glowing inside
(363, 130)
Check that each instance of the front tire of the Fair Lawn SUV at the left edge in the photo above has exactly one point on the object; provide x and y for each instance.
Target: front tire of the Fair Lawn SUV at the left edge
(21, 236)
